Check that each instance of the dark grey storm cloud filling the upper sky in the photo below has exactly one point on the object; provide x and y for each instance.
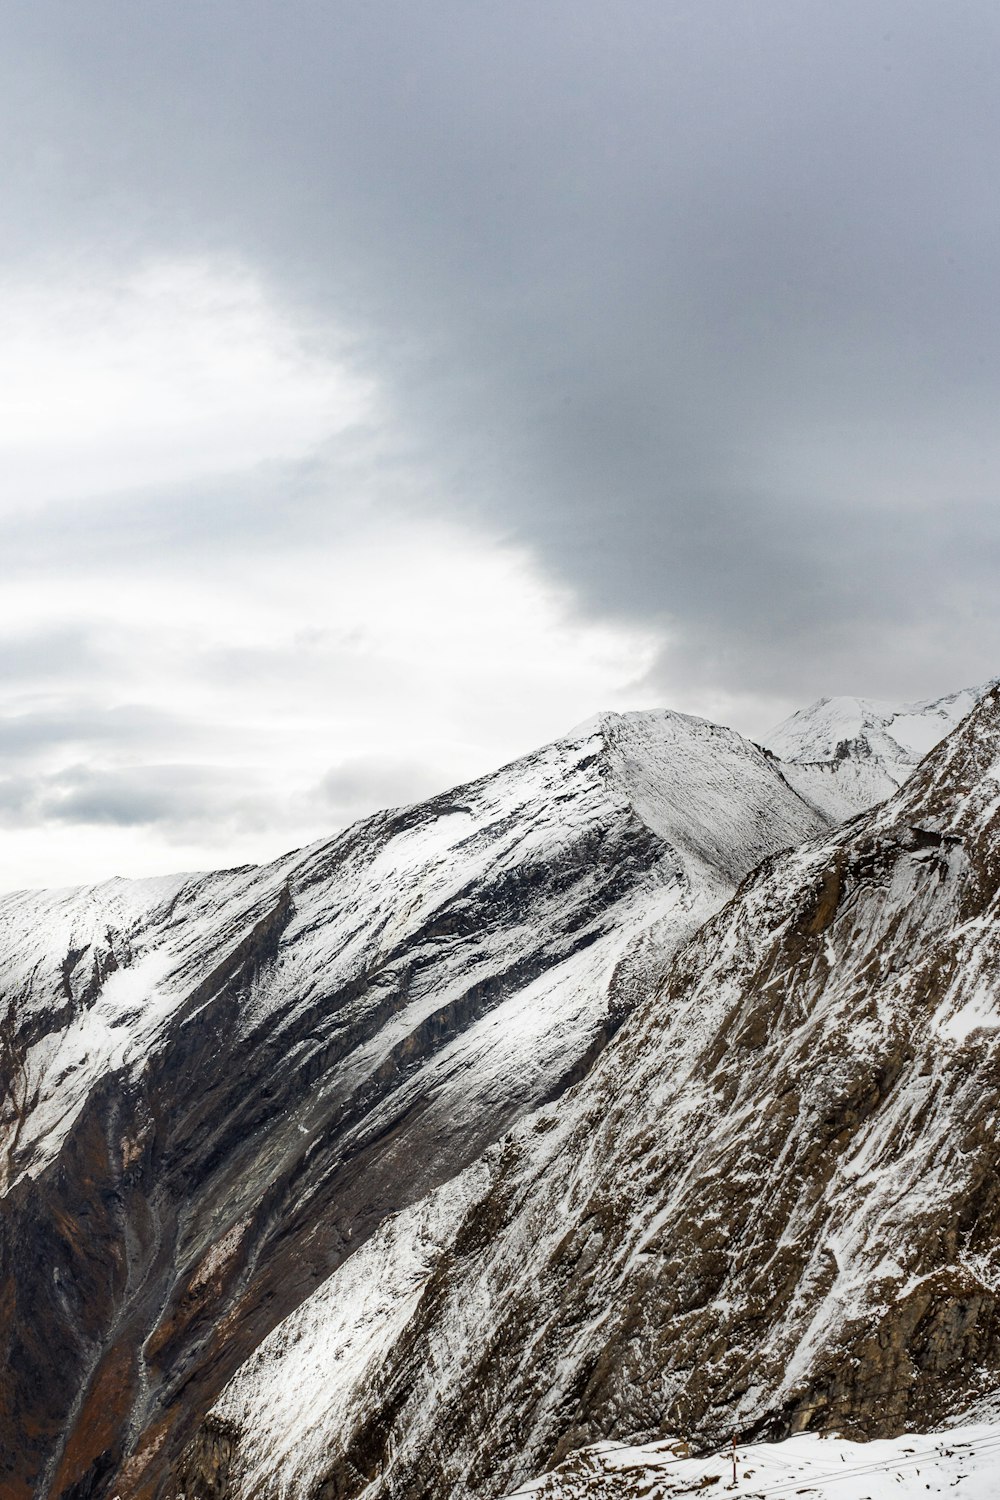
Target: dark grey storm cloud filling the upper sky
(698, 301)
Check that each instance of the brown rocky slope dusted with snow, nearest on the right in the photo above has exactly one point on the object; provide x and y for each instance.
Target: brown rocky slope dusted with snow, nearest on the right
(773, 1205)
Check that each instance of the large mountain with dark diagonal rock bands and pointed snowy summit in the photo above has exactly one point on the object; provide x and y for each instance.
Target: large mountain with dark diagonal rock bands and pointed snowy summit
(217, 1088)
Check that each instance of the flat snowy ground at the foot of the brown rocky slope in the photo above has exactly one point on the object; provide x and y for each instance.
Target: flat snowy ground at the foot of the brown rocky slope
(963, 1463)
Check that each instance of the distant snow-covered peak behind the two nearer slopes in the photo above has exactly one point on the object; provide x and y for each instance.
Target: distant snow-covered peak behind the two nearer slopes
(848, 754)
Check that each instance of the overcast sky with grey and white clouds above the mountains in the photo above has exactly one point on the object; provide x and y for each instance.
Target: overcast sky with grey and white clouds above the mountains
(388, 386)
